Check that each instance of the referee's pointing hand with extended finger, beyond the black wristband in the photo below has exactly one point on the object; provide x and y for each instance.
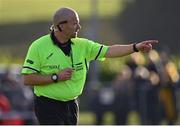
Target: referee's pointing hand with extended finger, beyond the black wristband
(146, 46)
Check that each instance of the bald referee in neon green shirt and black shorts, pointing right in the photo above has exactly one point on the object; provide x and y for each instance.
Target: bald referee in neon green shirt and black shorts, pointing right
(56, 65)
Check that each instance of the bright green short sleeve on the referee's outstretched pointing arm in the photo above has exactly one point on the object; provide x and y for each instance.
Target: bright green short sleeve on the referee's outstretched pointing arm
(95, 51)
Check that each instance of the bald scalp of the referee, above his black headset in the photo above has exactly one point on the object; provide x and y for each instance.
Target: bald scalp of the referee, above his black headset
(63, 14)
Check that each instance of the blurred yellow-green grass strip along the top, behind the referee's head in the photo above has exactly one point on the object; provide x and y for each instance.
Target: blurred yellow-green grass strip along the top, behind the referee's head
(12, 11)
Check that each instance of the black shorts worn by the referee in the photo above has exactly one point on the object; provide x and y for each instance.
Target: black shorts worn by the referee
(49, 111)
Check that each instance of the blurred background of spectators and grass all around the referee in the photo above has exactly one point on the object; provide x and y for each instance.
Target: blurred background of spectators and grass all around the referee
(135, 89)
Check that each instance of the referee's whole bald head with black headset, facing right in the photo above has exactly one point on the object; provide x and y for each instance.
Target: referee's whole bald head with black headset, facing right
(65, 23)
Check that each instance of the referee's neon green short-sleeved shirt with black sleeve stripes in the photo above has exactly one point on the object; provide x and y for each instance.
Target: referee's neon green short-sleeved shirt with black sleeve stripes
(44, 57)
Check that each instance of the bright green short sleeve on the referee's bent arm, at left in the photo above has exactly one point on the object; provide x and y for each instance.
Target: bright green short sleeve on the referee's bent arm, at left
(32, 61)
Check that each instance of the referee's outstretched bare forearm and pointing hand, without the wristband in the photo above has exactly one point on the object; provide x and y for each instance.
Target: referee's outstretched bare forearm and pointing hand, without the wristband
(122, 50)
